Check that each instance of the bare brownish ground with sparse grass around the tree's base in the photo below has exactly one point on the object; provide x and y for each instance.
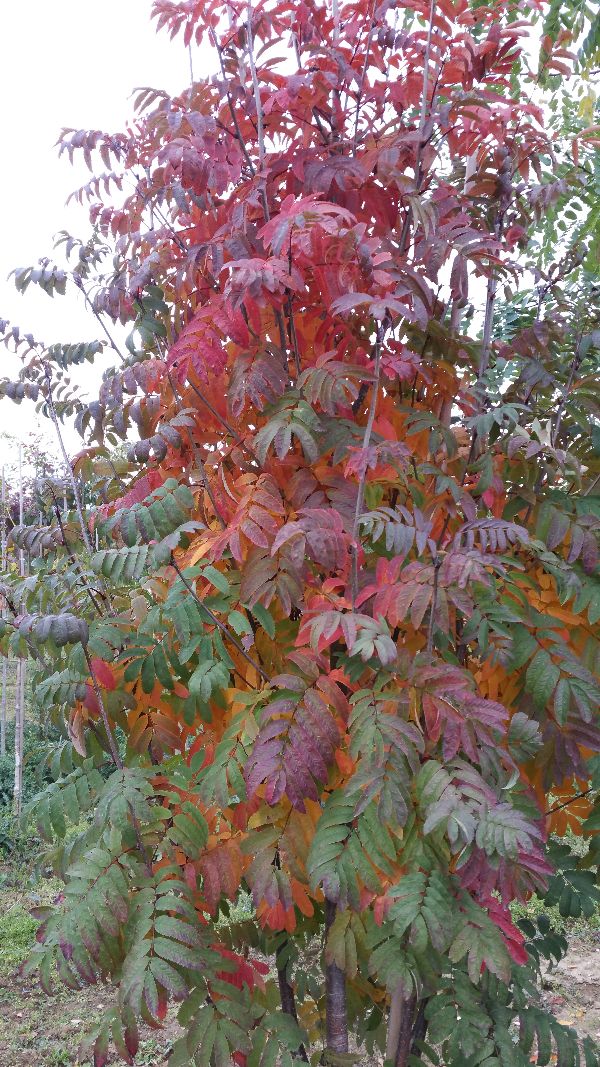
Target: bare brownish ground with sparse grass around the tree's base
(39, 1031)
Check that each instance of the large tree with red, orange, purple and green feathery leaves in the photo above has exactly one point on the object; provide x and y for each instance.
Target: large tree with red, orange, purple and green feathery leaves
(339, 634)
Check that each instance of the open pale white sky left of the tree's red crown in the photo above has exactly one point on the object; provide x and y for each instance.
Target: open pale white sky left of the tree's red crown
(74, 65)
